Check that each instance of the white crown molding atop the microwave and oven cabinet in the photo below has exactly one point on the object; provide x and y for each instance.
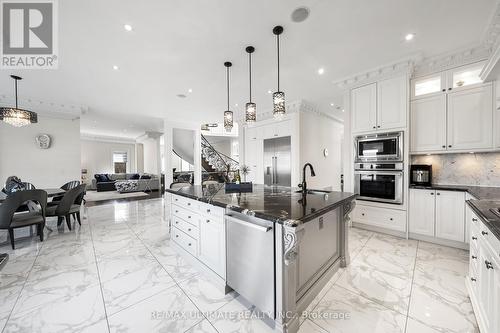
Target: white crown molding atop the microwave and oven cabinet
(403, 66)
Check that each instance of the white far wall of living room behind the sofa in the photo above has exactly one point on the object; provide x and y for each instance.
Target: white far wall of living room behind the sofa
(97, 156)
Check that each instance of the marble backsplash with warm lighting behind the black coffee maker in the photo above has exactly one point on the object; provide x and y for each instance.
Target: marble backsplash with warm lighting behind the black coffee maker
(463, 169)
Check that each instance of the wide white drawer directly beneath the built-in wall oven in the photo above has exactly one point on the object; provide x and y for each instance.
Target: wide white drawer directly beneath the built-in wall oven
(380, 217)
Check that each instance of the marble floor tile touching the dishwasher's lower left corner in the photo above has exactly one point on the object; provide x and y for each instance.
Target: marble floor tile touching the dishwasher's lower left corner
(205, 295)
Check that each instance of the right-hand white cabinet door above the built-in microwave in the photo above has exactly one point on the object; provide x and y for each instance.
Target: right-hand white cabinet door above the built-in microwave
(391, 103)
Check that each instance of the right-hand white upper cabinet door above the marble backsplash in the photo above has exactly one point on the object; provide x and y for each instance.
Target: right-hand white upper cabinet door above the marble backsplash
(470, 118)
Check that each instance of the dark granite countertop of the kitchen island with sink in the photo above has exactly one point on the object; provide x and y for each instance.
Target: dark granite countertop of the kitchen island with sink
(274, 203)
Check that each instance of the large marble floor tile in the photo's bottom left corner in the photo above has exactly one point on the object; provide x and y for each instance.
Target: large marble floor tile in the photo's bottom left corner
(73, 313)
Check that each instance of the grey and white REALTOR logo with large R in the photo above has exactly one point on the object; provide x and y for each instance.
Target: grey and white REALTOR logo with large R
(29, 34)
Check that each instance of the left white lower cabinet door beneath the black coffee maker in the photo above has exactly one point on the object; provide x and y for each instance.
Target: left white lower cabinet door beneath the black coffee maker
(422, 204)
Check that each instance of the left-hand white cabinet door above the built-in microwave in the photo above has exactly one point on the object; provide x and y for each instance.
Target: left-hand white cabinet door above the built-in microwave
(364, 108)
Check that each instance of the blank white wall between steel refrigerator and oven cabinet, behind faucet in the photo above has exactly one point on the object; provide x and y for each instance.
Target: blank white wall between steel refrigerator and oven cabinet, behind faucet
(317, 133)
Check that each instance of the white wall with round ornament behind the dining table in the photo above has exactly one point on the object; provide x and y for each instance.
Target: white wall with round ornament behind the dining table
(44, 168)
